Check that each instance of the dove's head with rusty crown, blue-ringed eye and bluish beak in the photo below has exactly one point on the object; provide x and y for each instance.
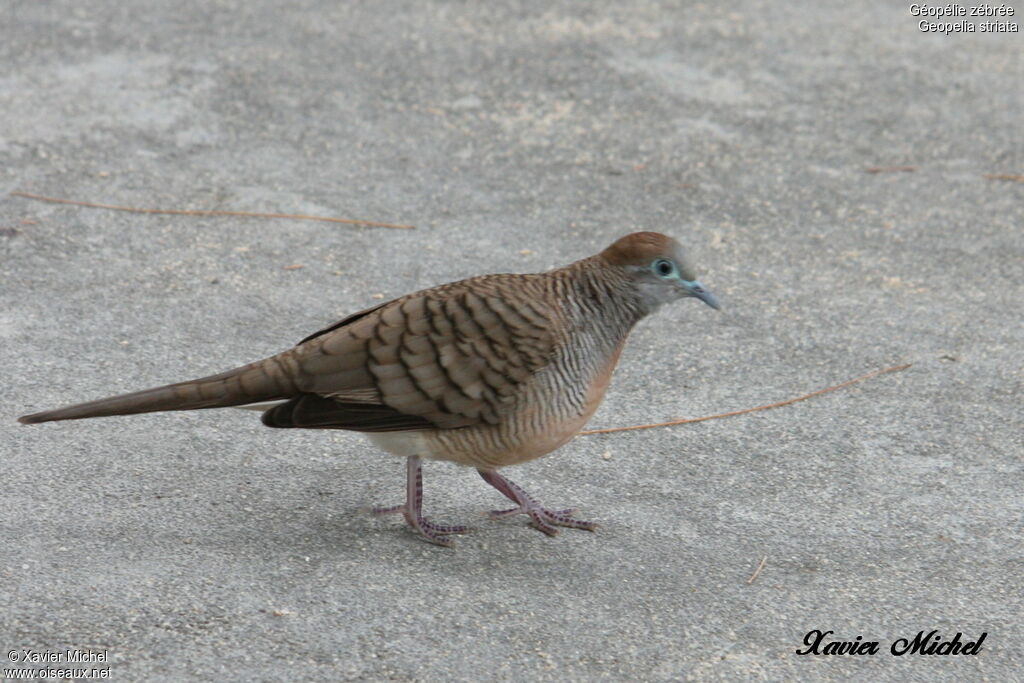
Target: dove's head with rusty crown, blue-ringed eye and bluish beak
(659, 269)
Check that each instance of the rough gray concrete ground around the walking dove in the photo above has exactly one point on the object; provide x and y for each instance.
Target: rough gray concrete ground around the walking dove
(518, 137)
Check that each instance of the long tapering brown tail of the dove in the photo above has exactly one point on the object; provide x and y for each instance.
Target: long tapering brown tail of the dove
(261, 381)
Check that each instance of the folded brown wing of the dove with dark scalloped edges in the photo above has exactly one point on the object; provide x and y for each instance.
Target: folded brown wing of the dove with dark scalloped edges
(451, 357)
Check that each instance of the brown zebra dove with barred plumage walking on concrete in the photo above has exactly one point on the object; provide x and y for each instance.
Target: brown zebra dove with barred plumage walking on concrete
(487, 372)
